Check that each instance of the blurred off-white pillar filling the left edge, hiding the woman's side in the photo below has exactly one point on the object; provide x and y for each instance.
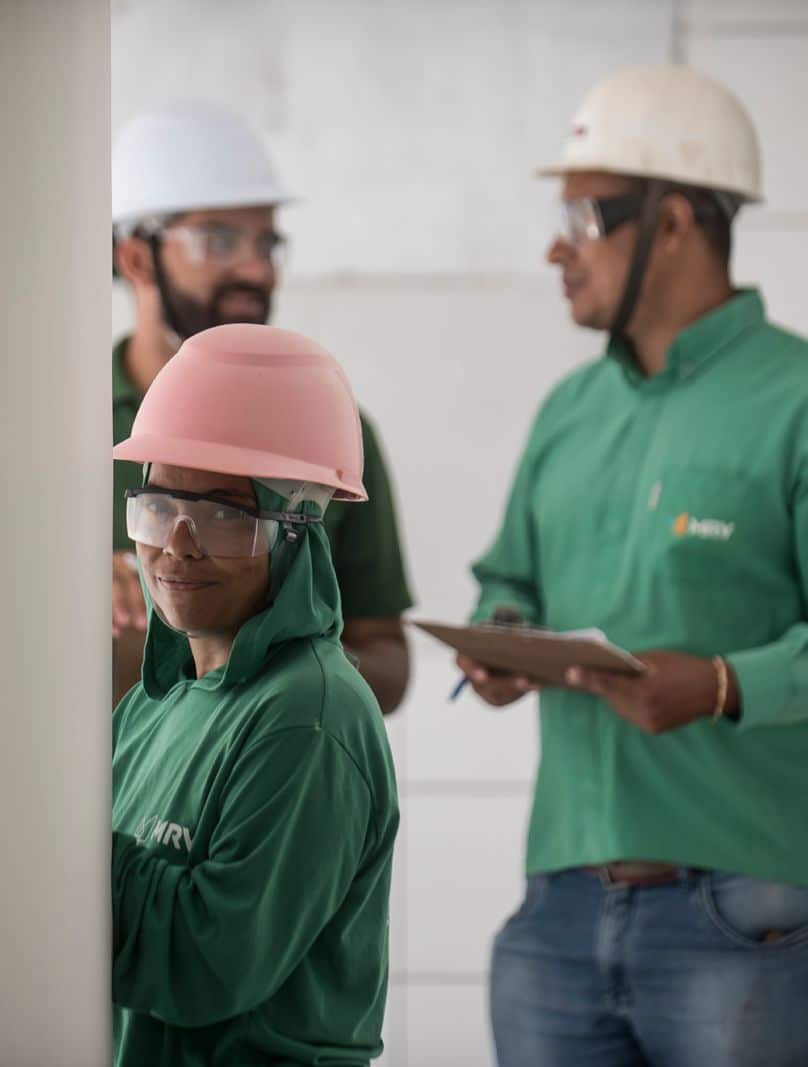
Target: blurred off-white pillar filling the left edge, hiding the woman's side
(55, 533)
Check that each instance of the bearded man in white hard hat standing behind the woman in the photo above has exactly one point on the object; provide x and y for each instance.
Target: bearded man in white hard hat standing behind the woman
(195, 235)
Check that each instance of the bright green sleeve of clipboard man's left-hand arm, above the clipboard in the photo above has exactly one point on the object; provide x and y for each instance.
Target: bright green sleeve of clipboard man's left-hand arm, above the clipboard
(509, 575)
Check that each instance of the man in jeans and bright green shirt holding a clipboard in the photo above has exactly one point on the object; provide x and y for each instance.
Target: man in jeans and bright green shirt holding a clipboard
(663, 499)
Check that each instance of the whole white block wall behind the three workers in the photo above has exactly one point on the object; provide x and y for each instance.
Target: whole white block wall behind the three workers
(413, 131)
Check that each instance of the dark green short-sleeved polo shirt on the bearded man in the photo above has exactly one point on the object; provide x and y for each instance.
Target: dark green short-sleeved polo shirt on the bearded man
(366, 543)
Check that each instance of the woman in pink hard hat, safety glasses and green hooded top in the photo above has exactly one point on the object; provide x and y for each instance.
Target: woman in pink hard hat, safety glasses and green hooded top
(255, 800)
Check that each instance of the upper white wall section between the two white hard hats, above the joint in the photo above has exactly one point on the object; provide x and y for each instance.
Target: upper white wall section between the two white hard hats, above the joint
(410, 129)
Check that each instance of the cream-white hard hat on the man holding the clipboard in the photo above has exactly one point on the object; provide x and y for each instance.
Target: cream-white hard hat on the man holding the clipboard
(666, 122)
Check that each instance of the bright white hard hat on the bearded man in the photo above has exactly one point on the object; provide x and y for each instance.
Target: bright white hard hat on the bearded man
(189, 157)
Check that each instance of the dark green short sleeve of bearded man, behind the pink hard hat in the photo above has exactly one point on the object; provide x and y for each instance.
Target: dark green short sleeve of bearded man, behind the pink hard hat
(367, 546)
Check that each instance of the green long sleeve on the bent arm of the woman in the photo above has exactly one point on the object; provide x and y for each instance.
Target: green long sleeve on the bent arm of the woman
(198, 946)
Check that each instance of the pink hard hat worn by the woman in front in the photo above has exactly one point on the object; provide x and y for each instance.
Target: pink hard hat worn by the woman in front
(257, 402)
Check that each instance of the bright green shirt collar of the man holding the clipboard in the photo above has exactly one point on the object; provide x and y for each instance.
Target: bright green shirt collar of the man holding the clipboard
(699, 343)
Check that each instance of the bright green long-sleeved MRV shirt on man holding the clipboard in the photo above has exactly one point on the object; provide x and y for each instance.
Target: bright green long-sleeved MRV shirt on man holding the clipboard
(673, 514)
